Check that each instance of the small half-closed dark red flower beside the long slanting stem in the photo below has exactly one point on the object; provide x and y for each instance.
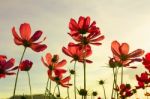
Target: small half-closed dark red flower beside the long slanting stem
(25, 65)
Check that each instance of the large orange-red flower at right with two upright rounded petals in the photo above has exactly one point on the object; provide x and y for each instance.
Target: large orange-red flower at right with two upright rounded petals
(122, 55)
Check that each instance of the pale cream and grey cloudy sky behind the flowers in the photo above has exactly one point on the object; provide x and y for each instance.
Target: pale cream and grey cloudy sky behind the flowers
(121, 20)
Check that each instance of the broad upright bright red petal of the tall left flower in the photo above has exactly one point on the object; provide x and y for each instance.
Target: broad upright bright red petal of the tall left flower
(25, 31)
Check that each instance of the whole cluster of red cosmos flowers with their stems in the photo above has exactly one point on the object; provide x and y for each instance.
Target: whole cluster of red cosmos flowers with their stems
(85, 34)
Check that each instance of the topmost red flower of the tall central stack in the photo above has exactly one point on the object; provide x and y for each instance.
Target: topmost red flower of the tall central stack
(83, 26)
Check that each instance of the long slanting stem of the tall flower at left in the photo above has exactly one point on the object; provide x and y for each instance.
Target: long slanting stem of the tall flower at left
(18, 73)
